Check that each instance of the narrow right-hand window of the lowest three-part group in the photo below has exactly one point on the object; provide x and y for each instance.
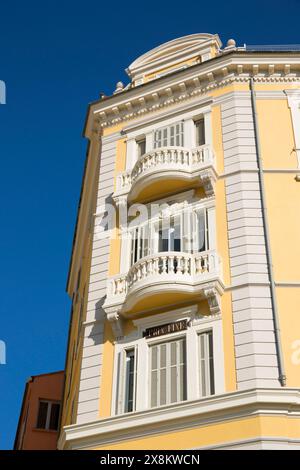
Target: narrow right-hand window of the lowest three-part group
(207, 383)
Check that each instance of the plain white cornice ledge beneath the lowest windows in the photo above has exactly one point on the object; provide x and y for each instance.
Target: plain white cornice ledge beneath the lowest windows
(185, 415)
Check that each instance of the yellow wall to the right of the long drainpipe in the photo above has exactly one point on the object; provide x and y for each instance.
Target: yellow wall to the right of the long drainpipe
(283, 209)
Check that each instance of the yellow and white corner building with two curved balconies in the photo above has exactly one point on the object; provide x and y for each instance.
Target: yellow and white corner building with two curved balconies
(185, 278)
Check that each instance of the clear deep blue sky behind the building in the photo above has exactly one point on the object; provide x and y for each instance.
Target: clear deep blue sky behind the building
(55, 57)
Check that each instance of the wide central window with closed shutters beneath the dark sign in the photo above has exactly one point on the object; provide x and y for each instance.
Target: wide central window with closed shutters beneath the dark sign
(168, 372)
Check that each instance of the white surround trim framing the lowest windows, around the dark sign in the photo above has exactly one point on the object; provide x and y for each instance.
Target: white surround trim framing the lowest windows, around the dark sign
(197, 325)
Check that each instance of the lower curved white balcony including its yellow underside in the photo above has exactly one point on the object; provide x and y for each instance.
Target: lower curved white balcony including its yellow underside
(163, 279)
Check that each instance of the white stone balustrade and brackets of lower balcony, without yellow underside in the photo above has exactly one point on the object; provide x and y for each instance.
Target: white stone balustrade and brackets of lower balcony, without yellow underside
(165, 272)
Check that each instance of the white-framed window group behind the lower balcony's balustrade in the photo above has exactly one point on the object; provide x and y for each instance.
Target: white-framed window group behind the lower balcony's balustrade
(186, 231)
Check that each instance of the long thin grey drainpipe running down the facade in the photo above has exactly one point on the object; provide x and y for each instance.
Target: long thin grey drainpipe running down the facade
(282, 377)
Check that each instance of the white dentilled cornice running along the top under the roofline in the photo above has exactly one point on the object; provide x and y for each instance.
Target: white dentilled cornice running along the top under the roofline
(193, 81)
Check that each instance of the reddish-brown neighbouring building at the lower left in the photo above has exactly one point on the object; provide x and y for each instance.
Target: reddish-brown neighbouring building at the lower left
(39, 417)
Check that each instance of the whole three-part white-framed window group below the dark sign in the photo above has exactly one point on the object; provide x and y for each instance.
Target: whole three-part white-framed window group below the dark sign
(171, 370)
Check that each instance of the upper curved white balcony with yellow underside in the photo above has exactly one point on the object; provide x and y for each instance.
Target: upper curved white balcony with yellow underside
(175, 167)
